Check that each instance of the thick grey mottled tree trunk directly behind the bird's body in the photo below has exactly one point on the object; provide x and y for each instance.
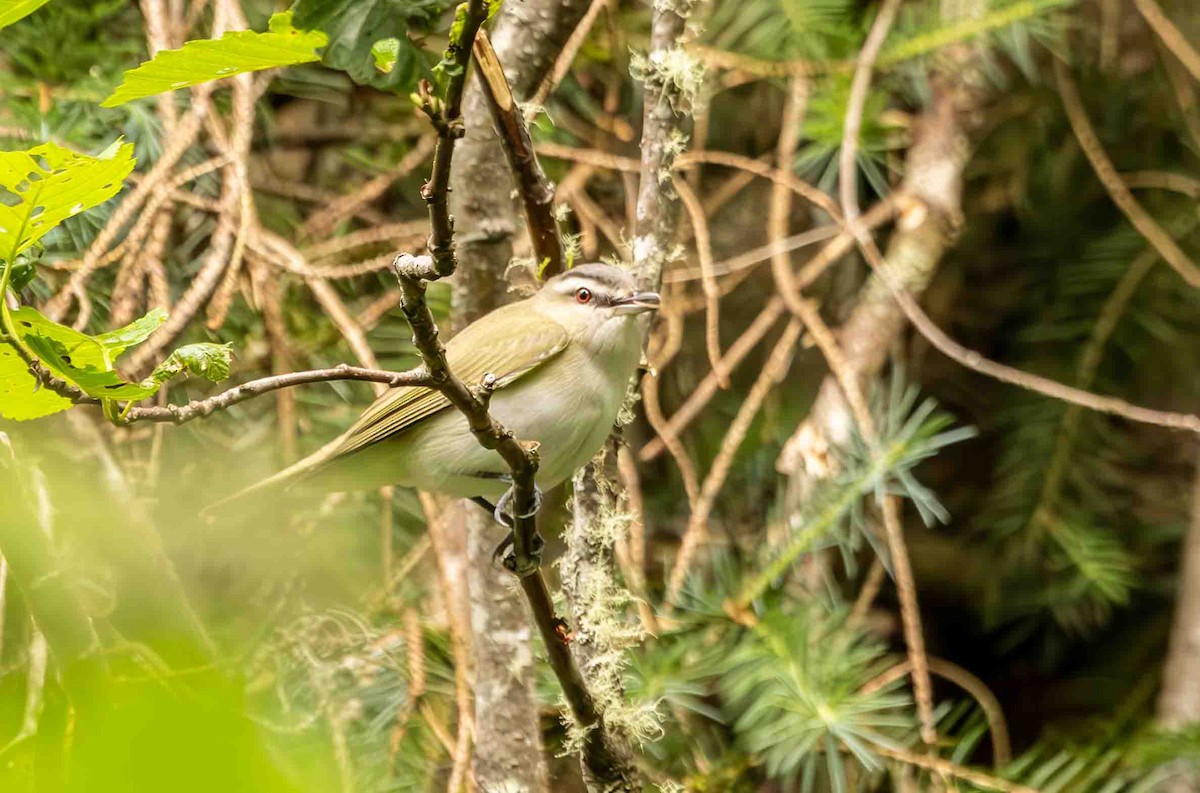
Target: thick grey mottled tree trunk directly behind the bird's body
(527, 39)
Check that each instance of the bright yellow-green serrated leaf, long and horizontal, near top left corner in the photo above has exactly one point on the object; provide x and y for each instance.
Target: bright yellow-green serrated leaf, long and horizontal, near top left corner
(236, 53)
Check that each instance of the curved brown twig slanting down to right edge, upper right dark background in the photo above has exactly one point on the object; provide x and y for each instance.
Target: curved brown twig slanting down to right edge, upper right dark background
(1117, 189)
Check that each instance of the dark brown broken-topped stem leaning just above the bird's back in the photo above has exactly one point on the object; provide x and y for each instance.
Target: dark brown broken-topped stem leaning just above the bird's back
(536, 190)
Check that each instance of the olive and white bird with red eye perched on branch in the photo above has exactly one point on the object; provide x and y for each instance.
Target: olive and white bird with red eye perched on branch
(562, 362)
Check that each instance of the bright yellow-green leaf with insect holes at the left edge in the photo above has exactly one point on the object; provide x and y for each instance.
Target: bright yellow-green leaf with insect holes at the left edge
(43, 187)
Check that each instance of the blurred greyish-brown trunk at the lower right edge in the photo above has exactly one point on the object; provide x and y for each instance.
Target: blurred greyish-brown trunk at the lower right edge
(1179, 704)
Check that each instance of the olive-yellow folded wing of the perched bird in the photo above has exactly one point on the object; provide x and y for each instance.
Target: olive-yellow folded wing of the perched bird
(472, 355)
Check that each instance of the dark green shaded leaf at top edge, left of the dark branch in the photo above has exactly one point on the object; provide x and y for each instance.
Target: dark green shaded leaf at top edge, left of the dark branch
(357, 27)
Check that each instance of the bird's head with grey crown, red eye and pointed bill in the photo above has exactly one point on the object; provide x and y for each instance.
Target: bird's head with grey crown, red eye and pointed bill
(597, 302)
